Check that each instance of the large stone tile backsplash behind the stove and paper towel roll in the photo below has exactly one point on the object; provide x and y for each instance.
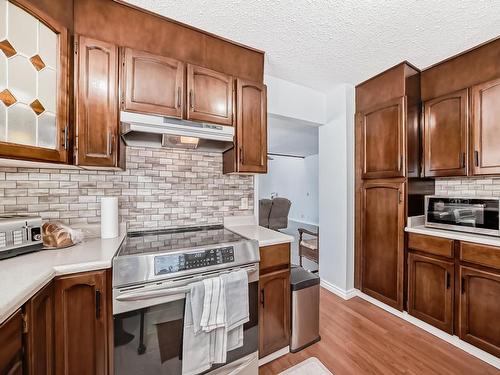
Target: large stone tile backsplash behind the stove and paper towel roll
(161, 188)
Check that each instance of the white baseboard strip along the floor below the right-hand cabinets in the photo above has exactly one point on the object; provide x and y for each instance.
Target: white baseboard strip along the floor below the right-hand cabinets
(454, 340)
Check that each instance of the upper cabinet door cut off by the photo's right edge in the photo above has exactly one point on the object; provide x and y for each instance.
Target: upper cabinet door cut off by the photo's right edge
(486, 128)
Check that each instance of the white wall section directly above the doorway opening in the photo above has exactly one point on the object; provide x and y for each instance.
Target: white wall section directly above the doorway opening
(295, 101)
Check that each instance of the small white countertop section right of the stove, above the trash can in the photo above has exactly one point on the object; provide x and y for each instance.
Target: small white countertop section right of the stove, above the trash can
(246, 227)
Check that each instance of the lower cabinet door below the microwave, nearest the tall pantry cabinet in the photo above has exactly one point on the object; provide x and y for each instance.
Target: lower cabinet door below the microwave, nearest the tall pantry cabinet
(430, 291)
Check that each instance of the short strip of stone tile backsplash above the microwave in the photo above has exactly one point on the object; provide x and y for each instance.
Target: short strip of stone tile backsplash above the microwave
(485, 187)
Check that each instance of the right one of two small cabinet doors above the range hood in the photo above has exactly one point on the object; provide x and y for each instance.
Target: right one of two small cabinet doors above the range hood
(210, 96)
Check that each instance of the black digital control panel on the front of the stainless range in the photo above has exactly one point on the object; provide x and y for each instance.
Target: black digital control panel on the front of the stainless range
(166, 264)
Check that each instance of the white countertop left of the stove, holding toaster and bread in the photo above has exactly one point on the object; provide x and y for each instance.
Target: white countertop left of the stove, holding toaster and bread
(22, 276)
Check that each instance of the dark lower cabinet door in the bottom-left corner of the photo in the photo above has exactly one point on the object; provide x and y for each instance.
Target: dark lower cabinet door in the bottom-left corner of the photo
(11, 332)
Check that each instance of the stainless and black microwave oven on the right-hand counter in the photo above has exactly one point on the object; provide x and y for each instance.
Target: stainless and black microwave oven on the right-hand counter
(478, 215)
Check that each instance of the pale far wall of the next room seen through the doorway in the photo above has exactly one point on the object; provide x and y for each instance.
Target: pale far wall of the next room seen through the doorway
(297, 180)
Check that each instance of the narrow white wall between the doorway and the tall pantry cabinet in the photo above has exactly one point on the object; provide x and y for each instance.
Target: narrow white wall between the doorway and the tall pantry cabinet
(336, 189)
